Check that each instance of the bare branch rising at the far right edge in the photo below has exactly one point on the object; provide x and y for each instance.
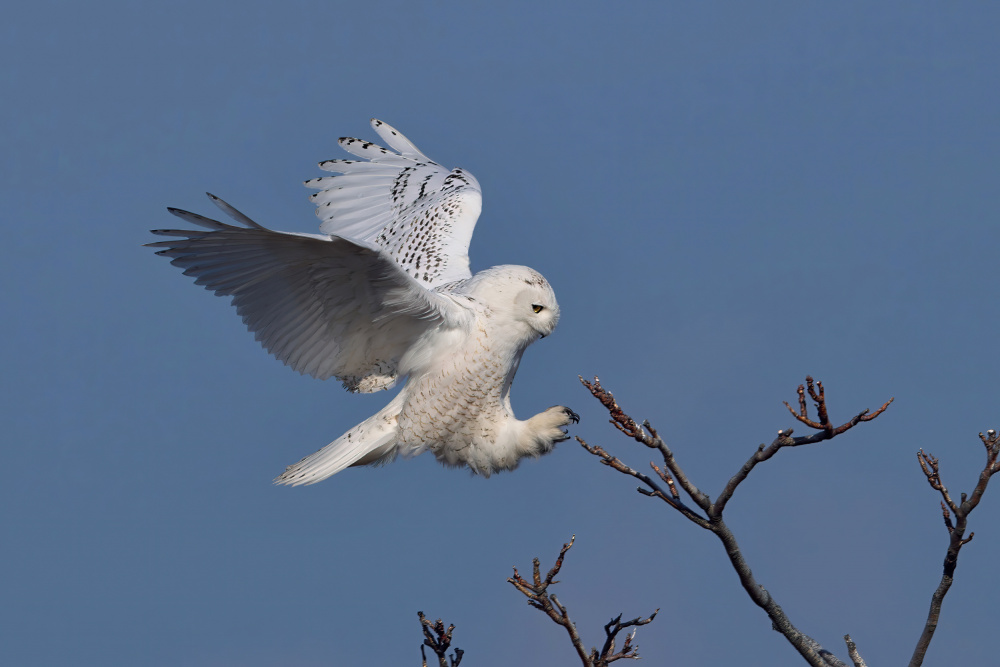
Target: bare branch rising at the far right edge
(956, 529)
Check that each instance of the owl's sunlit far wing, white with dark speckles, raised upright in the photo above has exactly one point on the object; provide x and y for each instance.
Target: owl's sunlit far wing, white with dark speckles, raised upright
(419, 213)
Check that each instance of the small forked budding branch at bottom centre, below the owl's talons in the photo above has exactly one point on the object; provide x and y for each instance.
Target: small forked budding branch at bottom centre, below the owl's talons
(538, 596)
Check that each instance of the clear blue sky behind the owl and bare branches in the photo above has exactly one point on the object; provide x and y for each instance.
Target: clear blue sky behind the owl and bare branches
(725, 198)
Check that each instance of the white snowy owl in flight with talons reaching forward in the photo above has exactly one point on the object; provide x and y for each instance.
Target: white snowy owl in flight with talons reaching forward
(383, 293)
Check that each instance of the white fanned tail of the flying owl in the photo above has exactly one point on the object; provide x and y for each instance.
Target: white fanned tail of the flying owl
(371, 441)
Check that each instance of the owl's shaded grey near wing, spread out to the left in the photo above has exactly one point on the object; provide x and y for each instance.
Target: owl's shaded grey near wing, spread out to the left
(324, 305)
